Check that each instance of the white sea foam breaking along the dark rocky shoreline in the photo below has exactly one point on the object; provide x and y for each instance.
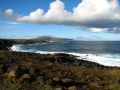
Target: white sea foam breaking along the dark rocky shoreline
(104, 59)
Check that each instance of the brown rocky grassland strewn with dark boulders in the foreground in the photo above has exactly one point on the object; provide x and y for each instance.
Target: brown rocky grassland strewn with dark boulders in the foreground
(30, 71)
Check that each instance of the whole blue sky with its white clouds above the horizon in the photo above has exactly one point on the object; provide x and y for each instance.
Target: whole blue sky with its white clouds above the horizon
(87, 20)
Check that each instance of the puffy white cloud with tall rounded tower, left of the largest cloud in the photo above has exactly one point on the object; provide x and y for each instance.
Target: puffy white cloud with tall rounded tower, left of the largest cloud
(55, 15)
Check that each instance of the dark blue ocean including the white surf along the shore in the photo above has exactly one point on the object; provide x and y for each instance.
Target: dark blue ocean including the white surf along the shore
(103, 52)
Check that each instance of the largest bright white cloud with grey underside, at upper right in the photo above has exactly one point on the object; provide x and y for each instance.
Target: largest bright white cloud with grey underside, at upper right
(97, 13)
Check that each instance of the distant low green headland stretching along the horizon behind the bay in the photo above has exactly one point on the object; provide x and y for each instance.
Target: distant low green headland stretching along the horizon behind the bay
(5, 43)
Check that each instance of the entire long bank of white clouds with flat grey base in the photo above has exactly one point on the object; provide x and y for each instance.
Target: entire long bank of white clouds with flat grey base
(96, 14)
